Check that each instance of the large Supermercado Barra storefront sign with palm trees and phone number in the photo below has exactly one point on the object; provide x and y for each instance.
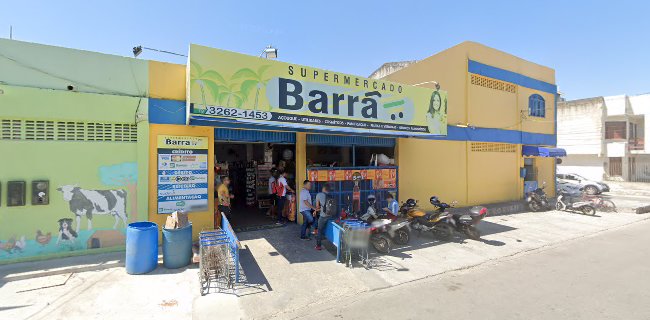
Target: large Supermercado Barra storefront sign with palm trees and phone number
(235, 87)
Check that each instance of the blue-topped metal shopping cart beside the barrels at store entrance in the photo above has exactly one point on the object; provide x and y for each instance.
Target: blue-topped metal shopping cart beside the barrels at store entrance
(216, 261)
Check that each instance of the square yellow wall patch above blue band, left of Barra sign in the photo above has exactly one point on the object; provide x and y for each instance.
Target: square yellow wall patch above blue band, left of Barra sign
(166, 81)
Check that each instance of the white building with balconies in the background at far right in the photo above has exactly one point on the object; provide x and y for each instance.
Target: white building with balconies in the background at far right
(604, 137)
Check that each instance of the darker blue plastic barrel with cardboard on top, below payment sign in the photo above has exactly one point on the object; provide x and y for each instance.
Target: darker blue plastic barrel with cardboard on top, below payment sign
(177, 247)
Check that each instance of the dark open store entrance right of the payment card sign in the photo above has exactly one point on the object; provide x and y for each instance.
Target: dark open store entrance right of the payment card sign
(248, 165)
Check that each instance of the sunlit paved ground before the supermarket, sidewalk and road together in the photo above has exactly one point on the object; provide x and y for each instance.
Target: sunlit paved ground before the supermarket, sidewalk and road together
(526, 262)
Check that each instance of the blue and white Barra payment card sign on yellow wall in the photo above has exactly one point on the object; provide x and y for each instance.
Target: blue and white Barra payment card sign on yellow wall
(182, 173)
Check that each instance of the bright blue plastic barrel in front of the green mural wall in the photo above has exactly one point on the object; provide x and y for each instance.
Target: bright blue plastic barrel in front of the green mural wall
(141, 247)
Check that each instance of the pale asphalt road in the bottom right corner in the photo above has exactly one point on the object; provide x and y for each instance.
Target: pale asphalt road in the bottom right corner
(604, 276)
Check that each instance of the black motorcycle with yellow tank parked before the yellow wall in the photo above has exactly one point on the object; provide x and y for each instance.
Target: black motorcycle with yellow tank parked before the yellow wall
(436, 222)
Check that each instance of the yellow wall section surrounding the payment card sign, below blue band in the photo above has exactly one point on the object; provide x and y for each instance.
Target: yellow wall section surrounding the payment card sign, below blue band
(200, 220)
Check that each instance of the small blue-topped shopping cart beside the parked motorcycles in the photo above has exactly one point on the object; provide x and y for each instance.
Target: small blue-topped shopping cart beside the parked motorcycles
(356, 239)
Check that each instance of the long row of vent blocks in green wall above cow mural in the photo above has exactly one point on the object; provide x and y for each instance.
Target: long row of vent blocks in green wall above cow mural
(49, 130)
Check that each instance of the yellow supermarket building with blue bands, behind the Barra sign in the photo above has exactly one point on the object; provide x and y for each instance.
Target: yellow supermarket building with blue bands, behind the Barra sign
(497, 104)
